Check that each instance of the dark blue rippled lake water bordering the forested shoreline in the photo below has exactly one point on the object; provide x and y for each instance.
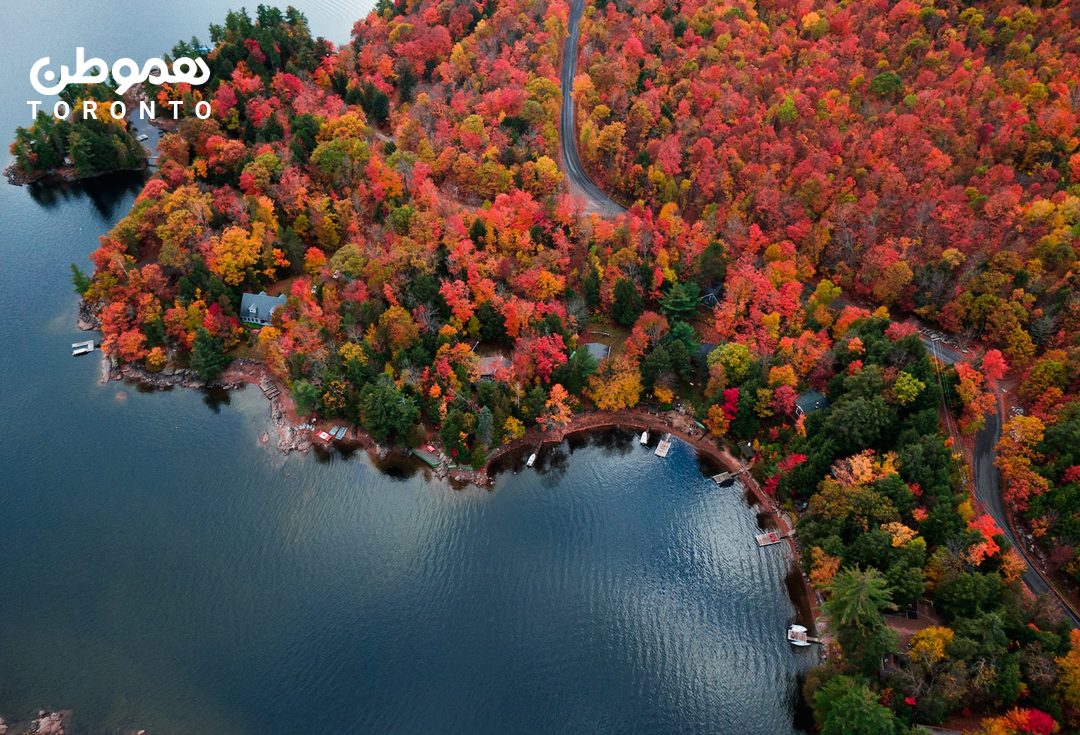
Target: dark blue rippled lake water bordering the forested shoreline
(160, 569)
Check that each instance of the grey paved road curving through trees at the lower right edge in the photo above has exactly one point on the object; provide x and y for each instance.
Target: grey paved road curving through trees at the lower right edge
(989, 486)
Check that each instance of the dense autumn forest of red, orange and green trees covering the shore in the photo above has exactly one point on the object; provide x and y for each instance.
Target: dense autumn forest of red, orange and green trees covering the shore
(803, 181)
